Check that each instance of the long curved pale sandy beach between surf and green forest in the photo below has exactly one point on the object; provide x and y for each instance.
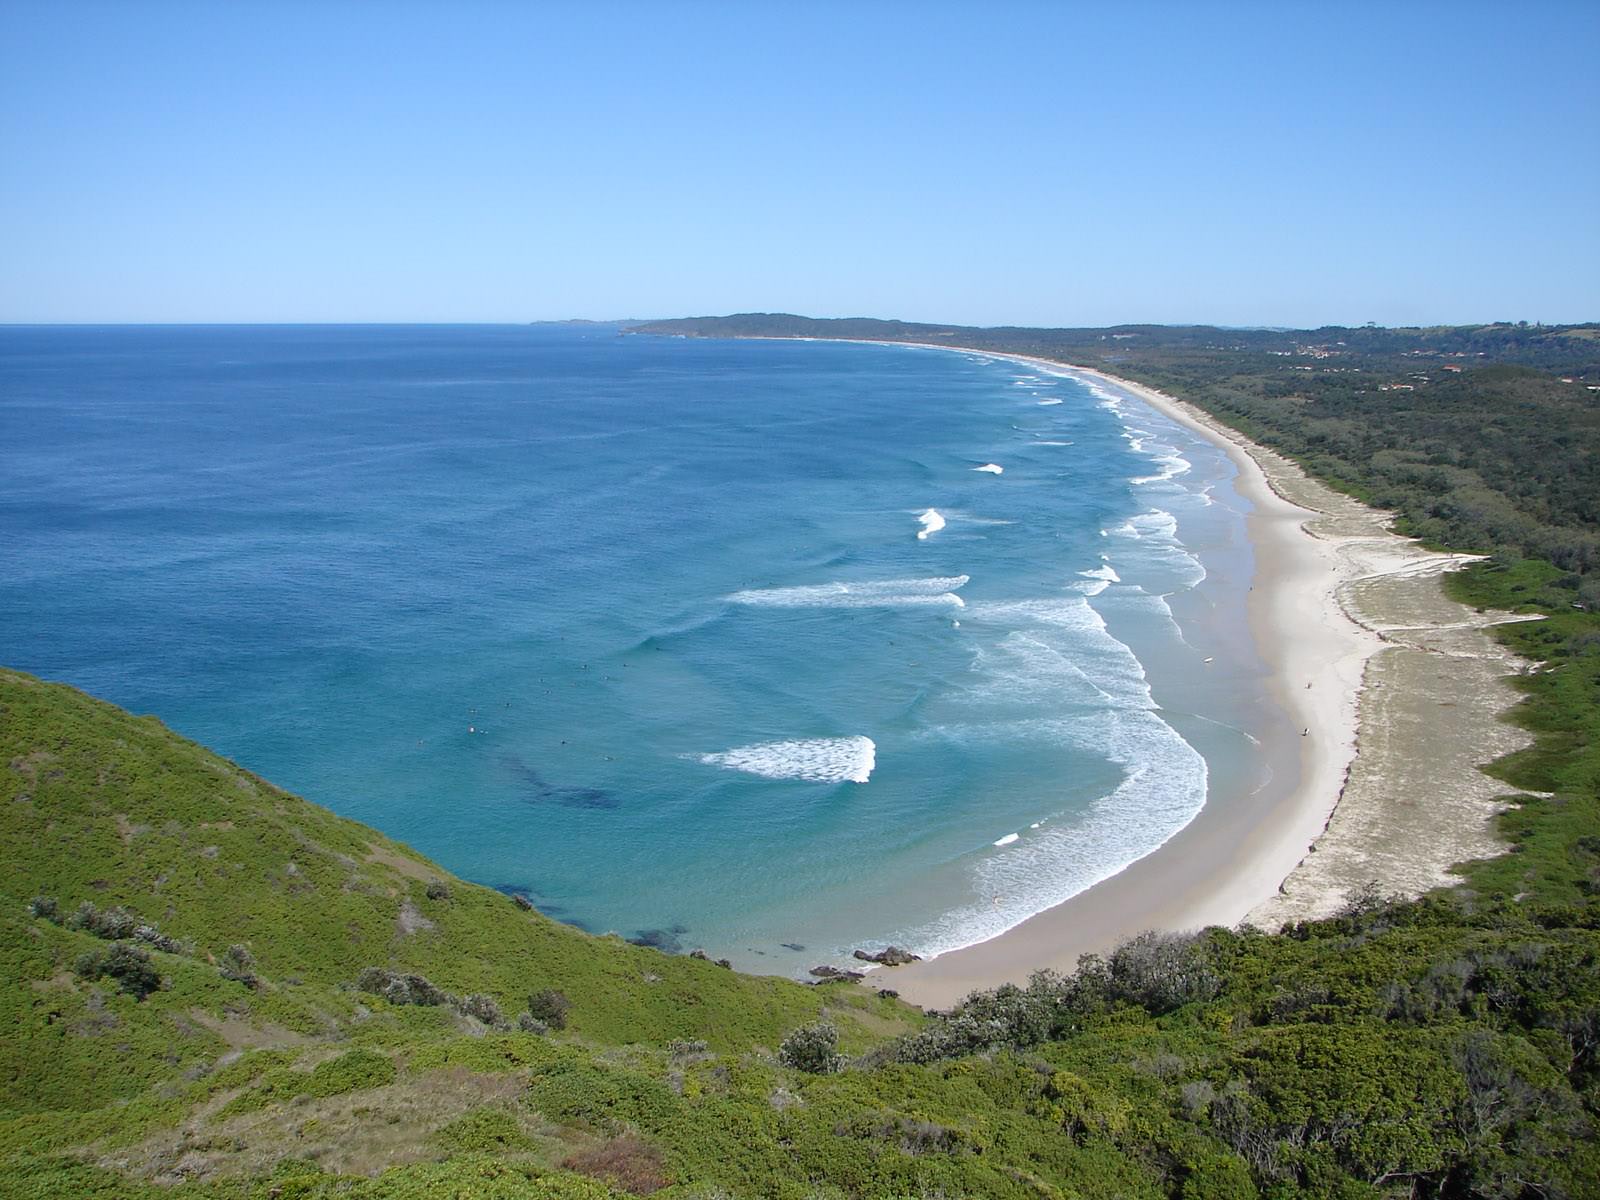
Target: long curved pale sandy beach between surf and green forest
(1399, 694)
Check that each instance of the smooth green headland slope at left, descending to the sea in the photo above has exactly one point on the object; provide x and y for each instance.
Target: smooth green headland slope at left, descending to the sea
(98, 806)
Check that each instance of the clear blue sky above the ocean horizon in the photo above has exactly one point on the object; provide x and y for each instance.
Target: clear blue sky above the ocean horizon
(1252, 164)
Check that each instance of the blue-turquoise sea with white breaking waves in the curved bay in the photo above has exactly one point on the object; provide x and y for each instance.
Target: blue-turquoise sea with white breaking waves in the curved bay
(742, 646)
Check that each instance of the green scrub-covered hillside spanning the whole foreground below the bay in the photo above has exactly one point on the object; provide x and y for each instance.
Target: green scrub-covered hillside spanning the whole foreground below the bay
(1434, 1049)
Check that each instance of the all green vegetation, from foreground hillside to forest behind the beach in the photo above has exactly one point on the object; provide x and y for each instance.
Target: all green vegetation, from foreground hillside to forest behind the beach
(215, 990)
